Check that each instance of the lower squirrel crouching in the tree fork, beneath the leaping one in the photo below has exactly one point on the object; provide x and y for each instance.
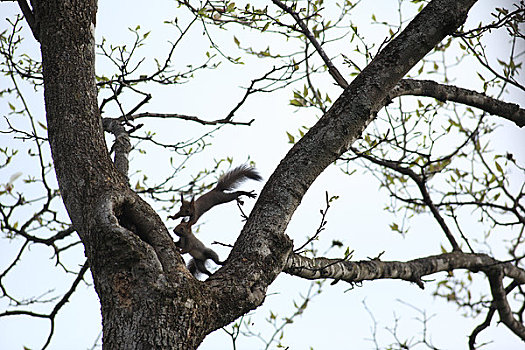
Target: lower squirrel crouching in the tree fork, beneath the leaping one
(188, 243)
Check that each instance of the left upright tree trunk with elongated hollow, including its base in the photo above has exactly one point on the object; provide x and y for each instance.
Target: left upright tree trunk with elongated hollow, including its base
(148, 299)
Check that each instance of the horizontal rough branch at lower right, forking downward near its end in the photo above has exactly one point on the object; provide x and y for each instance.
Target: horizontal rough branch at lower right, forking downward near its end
(414, 271)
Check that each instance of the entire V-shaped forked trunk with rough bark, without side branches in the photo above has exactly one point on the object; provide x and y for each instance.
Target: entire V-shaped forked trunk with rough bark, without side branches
(148, 298)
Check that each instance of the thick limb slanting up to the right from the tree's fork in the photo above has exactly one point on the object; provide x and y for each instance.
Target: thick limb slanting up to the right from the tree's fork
(262, 248)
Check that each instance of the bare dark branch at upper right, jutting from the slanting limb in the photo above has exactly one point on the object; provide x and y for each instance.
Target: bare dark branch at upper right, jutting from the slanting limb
(441, 92)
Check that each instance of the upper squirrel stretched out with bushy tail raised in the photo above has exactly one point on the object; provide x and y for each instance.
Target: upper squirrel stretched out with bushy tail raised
(217, 195)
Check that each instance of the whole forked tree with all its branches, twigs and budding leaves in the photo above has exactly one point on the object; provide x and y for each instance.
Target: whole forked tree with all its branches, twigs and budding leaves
(148, 298)
